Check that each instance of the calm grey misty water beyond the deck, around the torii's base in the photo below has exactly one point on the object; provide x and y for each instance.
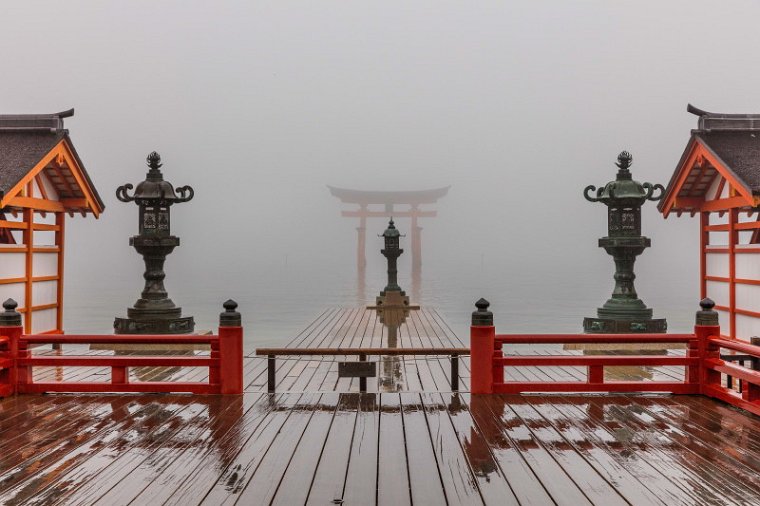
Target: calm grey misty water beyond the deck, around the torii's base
(277, 301)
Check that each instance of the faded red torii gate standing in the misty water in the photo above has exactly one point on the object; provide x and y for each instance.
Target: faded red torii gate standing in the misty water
(389, 200)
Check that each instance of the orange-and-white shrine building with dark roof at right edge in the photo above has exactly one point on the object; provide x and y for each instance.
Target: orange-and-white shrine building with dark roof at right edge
(718, 178)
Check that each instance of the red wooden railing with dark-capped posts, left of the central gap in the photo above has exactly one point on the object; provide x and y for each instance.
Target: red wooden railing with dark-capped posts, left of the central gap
(225, 362)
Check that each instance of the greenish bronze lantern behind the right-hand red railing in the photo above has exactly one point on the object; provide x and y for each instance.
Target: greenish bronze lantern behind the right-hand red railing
(624, 312)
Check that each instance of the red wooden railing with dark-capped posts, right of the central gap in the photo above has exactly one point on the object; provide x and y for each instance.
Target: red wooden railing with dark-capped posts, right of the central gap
(704, 369)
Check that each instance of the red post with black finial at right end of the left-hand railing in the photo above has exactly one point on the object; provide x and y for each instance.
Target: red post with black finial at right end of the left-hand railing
(230, 350)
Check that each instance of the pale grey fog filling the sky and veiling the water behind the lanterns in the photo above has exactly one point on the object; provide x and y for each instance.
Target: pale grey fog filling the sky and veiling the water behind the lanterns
(259, 105)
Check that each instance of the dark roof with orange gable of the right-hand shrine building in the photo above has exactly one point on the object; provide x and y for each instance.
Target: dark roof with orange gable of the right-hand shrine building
(723, 148)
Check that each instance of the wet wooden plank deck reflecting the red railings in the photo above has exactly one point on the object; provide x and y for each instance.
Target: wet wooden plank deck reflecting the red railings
(409, 441)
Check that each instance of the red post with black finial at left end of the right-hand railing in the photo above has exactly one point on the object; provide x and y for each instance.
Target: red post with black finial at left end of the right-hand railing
(482, 338)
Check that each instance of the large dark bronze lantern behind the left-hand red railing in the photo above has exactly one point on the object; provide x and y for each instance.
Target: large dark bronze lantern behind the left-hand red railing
(154, 312)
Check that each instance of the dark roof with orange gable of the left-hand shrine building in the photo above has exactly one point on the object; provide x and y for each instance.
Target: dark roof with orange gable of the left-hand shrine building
(37, 144)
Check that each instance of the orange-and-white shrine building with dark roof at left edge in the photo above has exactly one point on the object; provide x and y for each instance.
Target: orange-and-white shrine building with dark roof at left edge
(42, 179)
